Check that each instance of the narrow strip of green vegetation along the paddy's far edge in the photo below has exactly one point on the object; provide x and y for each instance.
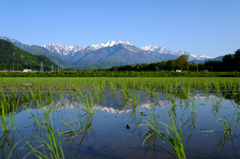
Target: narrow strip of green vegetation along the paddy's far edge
(119, 74)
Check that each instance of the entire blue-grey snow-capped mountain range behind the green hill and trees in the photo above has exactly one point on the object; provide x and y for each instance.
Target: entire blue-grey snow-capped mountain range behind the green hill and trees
(105, 55)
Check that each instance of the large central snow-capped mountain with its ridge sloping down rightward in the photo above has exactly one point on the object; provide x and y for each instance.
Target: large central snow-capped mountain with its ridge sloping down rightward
(114, 53)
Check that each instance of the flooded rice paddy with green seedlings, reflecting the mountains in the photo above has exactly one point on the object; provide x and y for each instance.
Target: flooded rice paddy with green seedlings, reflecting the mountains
(120, 118)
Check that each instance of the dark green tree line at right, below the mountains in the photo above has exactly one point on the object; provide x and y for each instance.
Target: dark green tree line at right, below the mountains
(231, 62)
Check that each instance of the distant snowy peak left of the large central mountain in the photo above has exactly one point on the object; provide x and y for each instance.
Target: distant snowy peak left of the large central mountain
(64, 50)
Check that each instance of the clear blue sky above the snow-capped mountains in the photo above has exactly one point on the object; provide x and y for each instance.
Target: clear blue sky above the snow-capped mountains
(202, 27)
